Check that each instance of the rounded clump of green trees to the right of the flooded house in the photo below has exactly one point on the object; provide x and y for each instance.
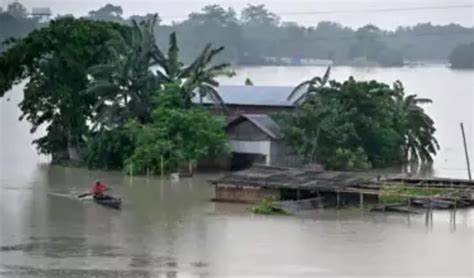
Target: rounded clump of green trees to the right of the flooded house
(356, 125)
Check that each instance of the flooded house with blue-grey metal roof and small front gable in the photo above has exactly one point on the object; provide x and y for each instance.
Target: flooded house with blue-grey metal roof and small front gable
(254, 137)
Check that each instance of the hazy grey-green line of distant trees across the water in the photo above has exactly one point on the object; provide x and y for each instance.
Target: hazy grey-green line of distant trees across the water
(258, 36)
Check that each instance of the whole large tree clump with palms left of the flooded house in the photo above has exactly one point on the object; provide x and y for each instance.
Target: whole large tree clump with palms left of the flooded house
(110, 98)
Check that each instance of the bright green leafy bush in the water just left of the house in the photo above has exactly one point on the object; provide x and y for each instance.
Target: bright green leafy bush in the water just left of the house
(176, 134)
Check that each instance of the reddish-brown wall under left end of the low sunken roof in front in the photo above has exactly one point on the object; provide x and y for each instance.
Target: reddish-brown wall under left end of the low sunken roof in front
(244, 194)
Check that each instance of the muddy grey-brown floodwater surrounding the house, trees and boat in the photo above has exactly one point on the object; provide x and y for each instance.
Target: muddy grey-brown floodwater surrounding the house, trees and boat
(168, 229)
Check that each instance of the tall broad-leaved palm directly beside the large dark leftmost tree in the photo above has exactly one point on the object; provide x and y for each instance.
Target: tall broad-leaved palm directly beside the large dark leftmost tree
(124, 86)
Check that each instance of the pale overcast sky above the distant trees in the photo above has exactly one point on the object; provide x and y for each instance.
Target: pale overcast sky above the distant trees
(353, 13)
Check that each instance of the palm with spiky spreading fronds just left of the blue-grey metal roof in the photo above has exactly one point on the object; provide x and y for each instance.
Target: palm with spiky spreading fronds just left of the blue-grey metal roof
(199, 77)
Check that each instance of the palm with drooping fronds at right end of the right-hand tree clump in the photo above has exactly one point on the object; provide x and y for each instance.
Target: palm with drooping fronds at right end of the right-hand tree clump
(416, 127)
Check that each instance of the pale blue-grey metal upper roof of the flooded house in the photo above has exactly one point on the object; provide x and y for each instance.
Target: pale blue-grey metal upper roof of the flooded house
(254, 95)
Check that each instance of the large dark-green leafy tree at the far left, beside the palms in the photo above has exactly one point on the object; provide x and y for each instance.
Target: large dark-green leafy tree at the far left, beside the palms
(54, 61)
